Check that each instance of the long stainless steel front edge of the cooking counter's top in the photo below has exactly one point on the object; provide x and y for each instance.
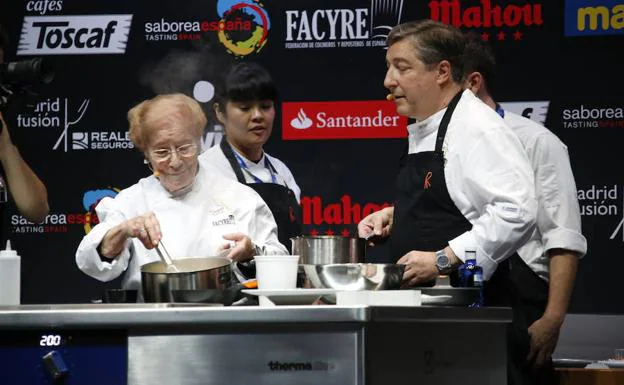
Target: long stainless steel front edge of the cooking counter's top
(171, 314)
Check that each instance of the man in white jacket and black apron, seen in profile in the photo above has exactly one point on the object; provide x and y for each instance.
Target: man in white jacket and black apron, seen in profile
(465, 181)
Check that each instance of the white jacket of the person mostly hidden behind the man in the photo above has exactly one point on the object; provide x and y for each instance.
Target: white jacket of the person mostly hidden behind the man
(558, 214)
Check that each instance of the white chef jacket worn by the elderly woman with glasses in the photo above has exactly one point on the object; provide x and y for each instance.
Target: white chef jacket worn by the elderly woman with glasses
(191, 225)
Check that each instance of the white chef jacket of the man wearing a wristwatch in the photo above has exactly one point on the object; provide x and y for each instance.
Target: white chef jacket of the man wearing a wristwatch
(488, 177)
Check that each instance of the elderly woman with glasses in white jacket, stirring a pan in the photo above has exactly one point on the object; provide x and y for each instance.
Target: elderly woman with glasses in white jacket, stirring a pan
(194, 211)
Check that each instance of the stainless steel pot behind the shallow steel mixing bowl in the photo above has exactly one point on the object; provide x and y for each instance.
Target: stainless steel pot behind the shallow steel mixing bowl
(328, 249)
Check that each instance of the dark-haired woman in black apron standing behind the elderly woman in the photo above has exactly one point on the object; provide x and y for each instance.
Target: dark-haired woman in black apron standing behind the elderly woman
(246, 108)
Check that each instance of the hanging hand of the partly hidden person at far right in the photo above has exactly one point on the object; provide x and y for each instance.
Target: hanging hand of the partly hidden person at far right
(544, 334)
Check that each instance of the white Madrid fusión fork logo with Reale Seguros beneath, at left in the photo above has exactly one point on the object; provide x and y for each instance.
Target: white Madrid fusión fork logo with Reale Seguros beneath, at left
(63, 114)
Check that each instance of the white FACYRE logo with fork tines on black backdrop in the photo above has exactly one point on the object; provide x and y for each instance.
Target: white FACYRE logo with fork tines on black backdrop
(342, 28)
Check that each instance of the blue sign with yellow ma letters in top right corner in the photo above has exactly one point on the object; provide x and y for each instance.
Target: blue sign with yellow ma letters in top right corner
(593, 17)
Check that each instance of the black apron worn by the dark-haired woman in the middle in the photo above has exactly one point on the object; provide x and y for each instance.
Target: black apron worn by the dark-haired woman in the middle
(280, 199)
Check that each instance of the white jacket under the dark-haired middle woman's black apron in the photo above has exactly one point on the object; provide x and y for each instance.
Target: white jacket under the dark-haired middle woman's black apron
(214, 157)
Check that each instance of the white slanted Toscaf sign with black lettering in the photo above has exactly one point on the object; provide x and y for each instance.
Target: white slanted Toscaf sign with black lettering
(67, 35)
